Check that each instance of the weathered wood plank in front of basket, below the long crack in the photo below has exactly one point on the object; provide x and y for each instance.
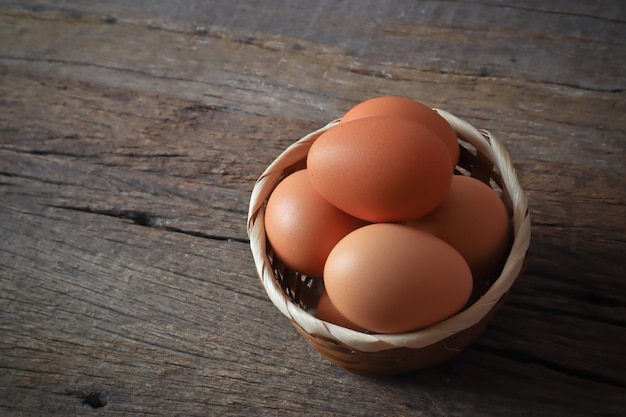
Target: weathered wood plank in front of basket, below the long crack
(158, 325)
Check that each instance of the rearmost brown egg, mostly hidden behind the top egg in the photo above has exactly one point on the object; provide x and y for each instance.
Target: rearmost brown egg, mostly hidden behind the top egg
(412, 110)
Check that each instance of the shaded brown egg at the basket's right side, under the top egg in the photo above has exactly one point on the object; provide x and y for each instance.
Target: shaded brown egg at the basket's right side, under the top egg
(474, 220)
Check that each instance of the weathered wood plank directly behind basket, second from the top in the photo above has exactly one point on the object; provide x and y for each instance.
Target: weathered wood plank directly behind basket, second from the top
(533, 119)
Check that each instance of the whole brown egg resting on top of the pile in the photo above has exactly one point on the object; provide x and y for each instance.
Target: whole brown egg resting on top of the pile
(380, 169)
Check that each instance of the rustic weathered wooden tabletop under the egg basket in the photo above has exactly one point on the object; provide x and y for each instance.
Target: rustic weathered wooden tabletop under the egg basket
(131, 135)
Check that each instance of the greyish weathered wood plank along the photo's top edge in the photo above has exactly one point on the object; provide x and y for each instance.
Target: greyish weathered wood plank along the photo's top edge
(559, 42)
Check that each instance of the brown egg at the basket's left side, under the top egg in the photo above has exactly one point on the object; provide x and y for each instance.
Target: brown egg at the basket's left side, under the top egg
(302, 227)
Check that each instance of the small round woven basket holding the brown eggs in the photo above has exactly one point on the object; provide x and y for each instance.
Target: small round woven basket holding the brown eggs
(295, 295)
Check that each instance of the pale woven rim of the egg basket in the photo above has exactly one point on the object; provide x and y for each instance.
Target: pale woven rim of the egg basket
(489, 147)
